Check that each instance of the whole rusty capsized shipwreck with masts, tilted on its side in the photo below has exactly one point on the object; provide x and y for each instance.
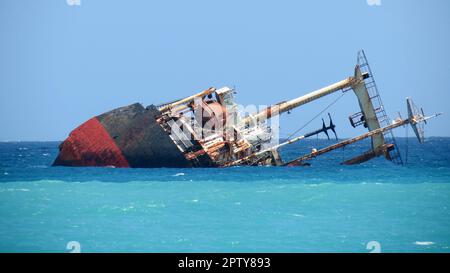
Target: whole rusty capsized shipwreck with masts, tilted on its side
(208, 130)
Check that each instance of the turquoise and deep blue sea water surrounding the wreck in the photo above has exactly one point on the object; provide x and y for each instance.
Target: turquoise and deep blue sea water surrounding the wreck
(326, 207)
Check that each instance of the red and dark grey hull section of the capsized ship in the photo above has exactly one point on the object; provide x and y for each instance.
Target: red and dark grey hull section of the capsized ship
(125, 137)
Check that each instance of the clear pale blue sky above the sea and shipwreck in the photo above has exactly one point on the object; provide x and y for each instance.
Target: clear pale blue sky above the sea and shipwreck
(61, 64)
